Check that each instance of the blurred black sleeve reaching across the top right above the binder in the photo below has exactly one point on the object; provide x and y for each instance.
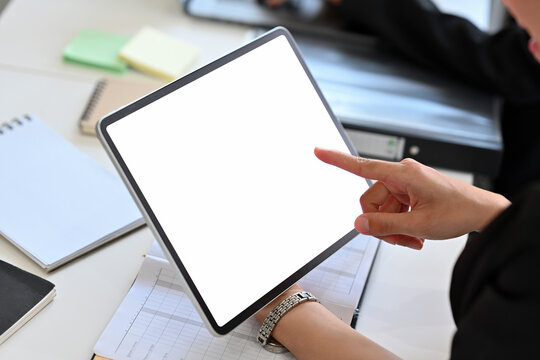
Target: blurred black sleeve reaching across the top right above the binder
(499, 63)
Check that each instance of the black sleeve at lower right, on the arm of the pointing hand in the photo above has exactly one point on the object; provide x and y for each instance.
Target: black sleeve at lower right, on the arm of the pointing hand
(495, 291)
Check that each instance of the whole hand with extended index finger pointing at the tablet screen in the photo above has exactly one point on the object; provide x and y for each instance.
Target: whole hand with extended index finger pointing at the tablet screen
(411, 202)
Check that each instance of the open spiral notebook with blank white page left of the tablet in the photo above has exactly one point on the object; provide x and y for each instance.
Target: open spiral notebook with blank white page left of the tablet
(57, 203)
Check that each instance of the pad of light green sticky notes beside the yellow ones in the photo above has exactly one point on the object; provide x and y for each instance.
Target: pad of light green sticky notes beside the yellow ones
(97, 48)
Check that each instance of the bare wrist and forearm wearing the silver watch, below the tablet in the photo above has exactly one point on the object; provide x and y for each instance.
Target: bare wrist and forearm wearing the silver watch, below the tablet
(311, 332)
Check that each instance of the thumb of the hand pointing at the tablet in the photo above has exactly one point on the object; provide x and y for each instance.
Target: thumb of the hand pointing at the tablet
(382, 224)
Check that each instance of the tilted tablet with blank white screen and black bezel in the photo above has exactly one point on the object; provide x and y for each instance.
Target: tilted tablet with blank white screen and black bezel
(221, 164)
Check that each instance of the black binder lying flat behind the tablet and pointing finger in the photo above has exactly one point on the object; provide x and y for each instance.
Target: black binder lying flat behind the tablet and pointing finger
(393, 109)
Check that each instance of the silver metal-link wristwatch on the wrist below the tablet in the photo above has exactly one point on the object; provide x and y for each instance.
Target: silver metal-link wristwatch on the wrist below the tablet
(264, 338)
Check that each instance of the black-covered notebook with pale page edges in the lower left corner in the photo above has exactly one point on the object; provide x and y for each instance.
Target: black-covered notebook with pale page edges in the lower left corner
(22, 296)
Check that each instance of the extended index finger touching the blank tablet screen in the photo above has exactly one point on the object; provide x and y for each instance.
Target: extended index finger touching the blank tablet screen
(366, 168)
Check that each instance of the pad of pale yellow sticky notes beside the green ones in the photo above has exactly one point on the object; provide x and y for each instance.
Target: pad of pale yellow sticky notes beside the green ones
(158, 54)
